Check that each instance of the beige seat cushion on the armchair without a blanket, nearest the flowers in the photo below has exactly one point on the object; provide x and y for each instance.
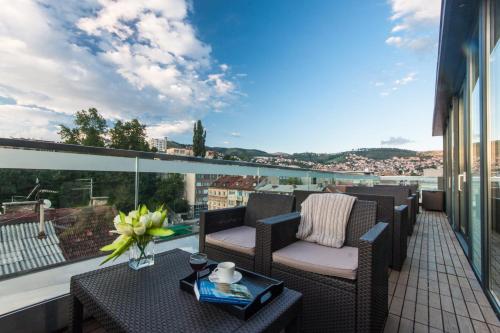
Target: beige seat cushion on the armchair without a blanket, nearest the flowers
(239, 239)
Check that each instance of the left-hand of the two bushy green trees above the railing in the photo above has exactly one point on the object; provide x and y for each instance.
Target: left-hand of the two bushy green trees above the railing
(89, 129)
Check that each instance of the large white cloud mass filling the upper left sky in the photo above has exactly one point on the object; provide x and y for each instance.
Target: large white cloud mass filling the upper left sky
(129, 59)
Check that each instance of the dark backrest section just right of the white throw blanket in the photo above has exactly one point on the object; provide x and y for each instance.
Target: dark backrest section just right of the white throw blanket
(363, 218)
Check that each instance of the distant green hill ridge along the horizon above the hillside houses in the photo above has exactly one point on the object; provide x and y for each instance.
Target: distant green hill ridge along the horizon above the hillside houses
(372, 153)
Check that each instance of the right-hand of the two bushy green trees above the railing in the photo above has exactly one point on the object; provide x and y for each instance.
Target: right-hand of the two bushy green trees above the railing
(129, 135)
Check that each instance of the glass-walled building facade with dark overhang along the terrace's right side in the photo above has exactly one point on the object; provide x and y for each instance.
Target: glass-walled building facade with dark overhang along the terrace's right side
(467, 115)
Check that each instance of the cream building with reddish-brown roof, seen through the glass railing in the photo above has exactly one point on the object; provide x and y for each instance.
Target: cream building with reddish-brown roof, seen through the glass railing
(231, 191)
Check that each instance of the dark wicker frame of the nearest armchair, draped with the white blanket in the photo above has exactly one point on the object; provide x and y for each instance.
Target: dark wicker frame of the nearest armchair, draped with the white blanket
(332, 303)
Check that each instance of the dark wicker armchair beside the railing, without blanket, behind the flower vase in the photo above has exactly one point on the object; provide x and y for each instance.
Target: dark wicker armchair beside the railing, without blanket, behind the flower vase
(237, 220)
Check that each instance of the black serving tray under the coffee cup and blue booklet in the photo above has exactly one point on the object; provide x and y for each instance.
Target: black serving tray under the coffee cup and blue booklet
(263, 289)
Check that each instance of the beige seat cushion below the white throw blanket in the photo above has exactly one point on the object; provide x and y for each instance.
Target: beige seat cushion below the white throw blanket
(339, 262)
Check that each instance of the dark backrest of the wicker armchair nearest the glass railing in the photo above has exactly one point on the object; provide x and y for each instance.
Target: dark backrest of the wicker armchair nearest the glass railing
(264, 205)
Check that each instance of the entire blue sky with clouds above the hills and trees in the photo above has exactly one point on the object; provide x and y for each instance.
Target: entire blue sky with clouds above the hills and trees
(281, 76)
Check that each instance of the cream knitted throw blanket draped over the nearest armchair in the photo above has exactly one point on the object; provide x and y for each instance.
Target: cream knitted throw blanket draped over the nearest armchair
(324, 218)
